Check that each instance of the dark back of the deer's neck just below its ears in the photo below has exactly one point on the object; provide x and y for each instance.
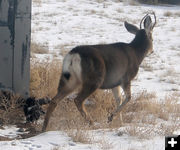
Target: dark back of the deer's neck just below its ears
(141, 45)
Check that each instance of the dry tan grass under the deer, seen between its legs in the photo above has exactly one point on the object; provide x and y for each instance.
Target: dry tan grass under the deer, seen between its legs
(70, 118)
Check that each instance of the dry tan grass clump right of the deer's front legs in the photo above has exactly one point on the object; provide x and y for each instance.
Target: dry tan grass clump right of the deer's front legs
(145, 104)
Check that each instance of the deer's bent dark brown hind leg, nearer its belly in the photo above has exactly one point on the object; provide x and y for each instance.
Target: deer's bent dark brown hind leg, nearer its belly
(93, 76)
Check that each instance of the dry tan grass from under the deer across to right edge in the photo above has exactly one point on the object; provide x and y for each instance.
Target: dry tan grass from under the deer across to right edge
(142, 109)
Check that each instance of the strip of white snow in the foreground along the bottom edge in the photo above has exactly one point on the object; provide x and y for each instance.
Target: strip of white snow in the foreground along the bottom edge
(102, 140)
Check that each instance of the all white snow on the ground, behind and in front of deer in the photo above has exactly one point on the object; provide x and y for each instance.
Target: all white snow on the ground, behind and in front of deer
(61, 25)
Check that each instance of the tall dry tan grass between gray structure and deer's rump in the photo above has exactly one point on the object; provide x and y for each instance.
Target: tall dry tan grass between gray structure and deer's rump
(44, 78)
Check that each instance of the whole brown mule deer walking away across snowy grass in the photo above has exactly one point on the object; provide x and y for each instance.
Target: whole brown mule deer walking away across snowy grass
(108, 66)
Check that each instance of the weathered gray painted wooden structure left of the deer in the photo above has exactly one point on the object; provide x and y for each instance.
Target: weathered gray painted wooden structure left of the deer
(15, 29)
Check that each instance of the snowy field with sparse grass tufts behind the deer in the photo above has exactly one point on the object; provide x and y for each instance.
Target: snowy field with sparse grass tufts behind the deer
(62, 25)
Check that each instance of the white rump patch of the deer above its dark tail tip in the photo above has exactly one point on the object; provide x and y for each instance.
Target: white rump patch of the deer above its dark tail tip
(72, 65)
